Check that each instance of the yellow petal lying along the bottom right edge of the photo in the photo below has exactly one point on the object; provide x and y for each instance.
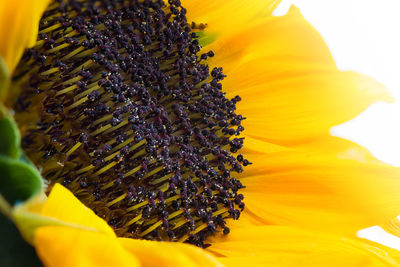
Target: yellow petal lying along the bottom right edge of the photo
(288, 246)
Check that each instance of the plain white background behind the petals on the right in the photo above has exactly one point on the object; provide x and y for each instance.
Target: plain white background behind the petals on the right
(364, 36)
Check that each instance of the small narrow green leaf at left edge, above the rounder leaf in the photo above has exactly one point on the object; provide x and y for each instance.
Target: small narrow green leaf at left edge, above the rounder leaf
(10, 138)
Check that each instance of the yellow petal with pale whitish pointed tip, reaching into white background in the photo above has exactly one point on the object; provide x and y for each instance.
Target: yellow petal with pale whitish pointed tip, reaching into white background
(293, 110)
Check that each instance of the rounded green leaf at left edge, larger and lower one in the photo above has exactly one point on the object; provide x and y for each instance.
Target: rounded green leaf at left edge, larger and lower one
(18, 180)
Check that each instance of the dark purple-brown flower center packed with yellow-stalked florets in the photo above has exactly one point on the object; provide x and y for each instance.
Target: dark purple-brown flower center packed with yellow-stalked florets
(118, 105)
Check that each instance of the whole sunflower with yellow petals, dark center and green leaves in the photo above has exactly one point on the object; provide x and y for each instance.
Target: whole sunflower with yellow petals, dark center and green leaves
(126, 111)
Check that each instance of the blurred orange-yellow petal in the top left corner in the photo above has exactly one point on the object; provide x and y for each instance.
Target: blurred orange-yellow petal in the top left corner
(19, 24)
